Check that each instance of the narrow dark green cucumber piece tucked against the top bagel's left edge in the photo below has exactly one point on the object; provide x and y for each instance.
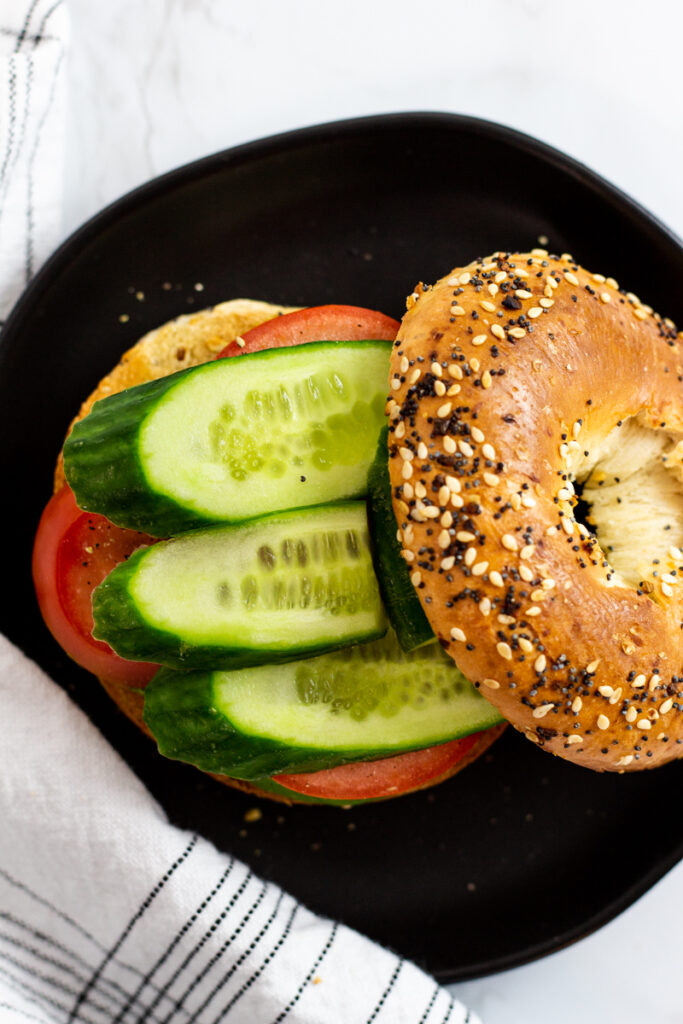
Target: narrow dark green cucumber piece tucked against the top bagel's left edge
(403, 605)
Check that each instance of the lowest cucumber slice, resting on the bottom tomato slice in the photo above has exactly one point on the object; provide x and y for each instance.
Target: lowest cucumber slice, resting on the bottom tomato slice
(359, 704)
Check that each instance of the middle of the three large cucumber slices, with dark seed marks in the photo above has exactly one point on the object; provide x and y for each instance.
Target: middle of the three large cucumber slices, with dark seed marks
(277, 588)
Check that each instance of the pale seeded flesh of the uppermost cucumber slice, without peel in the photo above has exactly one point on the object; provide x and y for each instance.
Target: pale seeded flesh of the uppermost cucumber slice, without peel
(280, 430)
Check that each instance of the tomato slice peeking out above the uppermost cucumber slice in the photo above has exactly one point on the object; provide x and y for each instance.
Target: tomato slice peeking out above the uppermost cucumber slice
(316, 324)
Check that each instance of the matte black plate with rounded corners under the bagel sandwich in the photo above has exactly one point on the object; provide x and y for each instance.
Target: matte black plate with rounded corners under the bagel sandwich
(523, 854)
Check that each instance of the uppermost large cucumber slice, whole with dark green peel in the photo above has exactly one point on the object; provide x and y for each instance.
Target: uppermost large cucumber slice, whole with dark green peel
(234, 439)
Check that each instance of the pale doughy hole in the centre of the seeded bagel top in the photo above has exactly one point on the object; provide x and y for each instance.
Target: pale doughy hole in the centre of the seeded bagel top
(630, 492)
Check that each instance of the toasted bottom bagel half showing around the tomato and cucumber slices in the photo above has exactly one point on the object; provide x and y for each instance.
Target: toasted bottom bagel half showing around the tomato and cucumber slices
(184, 343)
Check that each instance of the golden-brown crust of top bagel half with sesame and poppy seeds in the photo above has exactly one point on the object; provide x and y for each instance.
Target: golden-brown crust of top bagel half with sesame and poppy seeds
(505, 374)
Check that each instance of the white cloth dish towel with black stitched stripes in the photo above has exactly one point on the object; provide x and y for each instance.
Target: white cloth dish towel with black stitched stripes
(108, 914)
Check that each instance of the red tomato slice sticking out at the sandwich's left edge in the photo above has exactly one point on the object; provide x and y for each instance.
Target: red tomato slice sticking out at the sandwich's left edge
(73, 552)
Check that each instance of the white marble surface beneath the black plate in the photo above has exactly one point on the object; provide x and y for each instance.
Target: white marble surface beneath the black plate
(156, 84)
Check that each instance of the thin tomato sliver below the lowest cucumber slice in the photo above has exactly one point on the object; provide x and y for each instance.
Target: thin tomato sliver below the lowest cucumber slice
(390, 778)
